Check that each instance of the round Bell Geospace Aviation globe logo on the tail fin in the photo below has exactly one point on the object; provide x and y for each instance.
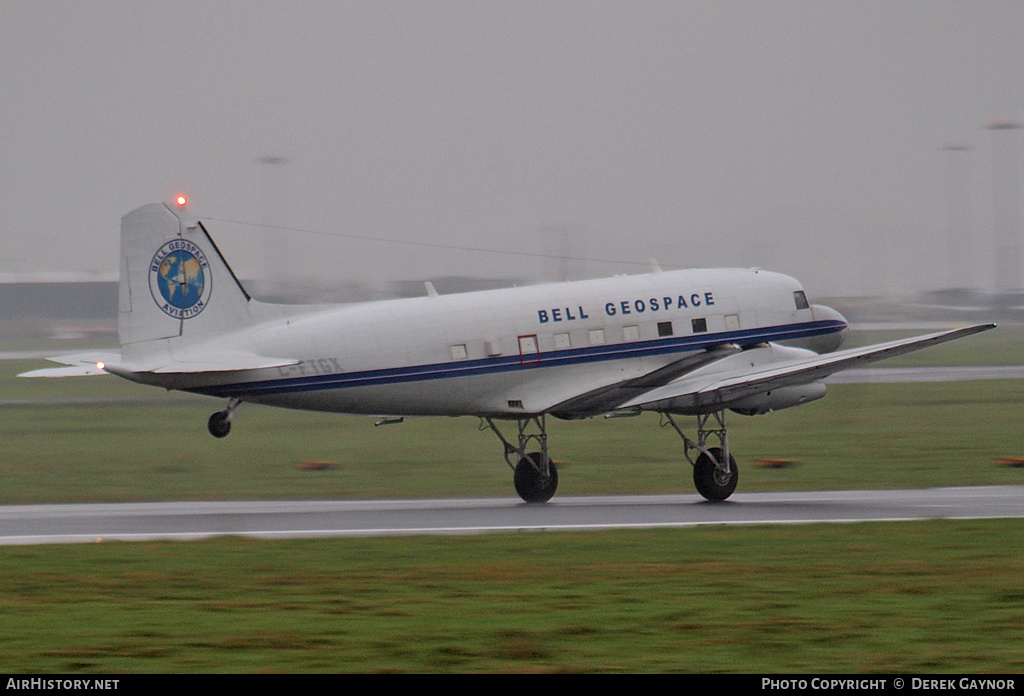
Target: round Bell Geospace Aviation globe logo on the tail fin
(181, 280)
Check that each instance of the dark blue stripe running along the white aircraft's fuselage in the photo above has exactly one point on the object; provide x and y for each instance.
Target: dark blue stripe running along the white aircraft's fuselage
(504, 364)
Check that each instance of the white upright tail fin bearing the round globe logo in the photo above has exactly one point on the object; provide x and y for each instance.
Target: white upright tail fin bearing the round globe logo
(175, 283)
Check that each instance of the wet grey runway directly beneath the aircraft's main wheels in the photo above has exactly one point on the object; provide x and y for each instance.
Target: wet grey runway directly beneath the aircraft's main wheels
(184, 521)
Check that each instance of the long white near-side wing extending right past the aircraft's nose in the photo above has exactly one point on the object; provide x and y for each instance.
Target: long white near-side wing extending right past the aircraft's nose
(758, 371)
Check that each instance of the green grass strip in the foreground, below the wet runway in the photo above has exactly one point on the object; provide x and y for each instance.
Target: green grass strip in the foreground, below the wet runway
(928, 597)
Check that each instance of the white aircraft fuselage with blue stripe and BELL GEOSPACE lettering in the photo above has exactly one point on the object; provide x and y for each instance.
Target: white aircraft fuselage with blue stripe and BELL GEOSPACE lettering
(503, 353)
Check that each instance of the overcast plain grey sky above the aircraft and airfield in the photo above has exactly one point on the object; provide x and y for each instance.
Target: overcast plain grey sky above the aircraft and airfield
(800, 137)
